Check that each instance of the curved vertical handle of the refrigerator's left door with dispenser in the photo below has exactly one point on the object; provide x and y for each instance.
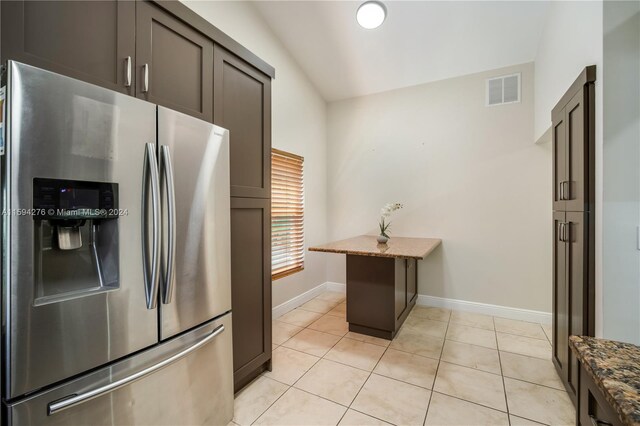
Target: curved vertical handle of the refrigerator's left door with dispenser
(151, 277)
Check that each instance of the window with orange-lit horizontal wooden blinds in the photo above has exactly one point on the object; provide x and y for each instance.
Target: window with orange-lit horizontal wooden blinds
(287, 214)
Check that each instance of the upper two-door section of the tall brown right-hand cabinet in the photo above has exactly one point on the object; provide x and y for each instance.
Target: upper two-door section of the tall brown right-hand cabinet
(573, 146)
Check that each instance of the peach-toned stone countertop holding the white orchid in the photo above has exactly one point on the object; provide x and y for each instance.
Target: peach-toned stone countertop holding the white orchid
(367, 245)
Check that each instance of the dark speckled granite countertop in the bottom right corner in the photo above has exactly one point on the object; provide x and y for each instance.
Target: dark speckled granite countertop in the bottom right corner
(615, 367)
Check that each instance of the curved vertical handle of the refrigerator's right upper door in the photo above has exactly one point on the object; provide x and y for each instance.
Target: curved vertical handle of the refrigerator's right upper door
(169, 268)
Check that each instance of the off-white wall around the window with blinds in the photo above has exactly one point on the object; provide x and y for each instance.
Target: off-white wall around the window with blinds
(298, 126)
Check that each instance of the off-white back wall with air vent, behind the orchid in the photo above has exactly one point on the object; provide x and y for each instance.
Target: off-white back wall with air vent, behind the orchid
(466, 173)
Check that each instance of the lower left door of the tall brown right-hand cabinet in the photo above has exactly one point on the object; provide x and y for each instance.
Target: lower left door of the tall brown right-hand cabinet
(560, 304)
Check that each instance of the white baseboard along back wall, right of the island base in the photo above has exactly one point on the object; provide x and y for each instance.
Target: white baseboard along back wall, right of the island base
(485, 308)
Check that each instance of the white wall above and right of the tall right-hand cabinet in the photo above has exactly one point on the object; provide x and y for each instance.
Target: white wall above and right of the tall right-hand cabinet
(571, 40)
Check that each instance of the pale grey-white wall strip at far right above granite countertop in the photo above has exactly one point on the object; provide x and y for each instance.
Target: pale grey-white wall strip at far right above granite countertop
(621, 151)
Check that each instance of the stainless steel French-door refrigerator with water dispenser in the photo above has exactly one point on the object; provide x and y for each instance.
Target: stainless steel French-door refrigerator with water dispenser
(116, 295)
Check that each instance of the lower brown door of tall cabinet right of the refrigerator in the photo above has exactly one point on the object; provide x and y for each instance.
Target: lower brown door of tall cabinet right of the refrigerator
(250, 286)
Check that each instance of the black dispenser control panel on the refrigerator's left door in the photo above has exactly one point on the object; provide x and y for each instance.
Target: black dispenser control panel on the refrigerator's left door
(74, 199)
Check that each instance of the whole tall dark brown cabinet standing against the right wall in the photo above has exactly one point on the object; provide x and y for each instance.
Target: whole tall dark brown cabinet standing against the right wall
(573, 223)
